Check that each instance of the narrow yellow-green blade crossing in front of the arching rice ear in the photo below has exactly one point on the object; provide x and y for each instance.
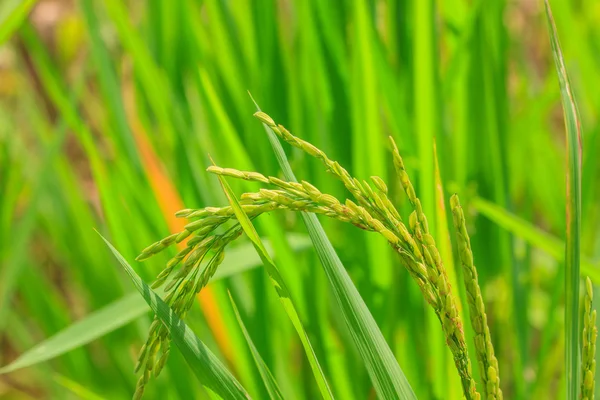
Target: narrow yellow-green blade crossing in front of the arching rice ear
(280, 287)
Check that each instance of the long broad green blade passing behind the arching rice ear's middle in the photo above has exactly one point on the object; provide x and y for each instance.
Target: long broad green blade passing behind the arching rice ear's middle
(383, 369)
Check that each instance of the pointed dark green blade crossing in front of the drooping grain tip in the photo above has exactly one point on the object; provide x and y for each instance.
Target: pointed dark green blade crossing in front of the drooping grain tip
(205, 365)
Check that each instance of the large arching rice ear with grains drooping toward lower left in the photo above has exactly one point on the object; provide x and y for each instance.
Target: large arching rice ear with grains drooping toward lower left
(373, 211)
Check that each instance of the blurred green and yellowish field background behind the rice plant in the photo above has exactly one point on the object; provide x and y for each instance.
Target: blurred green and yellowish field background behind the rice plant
(109, 109)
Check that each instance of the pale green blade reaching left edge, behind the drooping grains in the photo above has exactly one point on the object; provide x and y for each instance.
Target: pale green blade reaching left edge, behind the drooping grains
(130, 307)
